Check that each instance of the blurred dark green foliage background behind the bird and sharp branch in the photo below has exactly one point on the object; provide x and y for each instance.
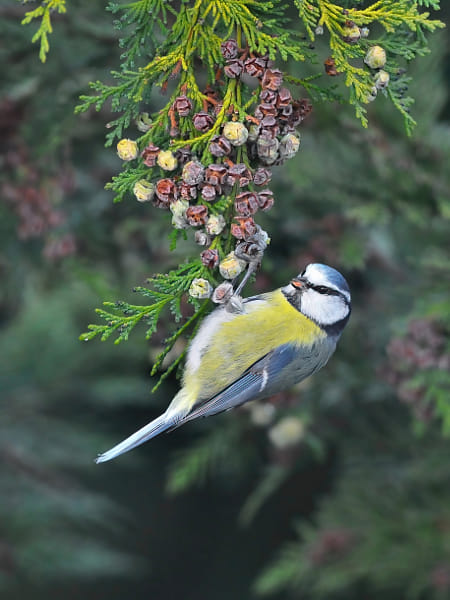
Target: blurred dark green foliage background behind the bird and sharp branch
(355, 503)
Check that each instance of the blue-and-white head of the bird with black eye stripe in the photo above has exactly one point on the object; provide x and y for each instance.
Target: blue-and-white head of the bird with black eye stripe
(321, 294)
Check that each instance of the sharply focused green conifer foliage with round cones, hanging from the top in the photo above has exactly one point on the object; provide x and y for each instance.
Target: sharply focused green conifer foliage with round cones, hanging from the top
(207, 154)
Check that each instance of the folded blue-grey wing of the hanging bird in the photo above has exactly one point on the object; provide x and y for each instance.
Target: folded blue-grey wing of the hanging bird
(252, 384)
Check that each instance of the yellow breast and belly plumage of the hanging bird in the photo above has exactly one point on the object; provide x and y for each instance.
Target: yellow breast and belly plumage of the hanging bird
(247, 337)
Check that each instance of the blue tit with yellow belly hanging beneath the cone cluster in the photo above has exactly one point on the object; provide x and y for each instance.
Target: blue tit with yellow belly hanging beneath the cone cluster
(251, 348)
